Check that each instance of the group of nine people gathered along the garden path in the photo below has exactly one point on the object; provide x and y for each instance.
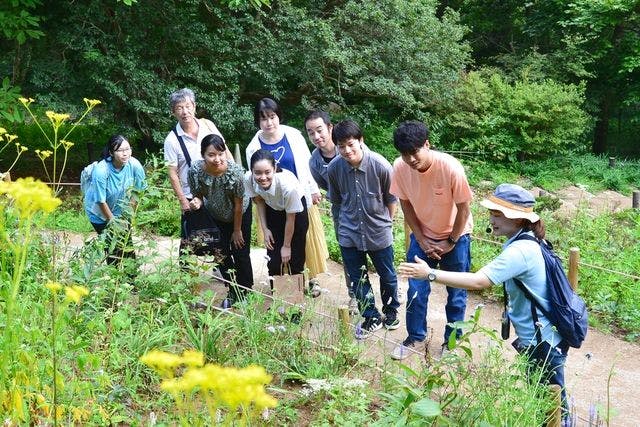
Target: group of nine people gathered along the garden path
(284, 180)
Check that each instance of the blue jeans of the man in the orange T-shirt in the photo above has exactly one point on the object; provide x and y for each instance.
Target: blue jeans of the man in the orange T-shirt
(459, 259)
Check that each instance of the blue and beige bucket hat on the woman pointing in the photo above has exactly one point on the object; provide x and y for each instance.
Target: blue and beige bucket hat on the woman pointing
(513, 201)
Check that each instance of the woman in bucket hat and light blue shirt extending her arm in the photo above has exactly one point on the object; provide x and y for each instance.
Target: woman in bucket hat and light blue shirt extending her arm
(511, 214)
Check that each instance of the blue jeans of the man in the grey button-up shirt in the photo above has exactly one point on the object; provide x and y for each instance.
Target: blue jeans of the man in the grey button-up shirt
(355, 262)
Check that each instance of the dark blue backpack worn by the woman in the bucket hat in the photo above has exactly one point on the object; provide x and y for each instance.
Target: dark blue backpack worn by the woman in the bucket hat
(567, 311)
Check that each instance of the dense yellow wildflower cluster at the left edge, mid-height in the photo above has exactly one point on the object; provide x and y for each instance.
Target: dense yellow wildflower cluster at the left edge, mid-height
(29, 196)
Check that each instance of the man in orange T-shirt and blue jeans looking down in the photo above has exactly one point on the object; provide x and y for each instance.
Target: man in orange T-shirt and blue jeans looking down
(435, 198)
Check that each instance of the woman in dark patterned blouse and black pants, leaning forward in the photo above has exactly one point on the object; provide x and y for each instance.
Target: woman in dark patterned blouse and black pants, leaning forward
(217, 184)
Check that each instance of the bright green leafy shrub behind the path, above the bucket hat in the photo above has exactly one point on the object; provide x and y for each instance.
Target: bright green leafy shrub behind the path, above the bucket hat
(516, 121)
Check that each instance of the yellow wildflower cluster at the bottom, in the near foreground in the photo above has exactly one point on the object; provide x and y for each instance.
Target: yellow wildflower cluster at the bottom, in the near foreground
(228, 386)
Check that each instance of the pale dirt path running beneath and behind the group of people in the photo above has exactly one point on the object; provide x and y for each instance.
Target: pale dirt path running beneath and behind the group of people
(587, 369)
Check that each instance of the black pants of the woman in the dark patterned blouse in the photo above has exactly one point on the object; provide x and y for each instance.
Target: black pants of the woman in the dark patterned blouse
(238, 259)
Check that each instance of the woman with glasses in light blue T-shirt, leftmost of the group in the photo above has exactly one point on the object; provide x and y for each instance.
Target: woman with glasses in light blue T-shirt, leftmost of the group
(109, 196)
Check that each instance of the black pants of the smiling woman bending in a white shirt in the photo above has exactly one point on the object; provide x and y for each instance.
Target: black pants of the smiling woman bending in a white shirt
(276, 221)
